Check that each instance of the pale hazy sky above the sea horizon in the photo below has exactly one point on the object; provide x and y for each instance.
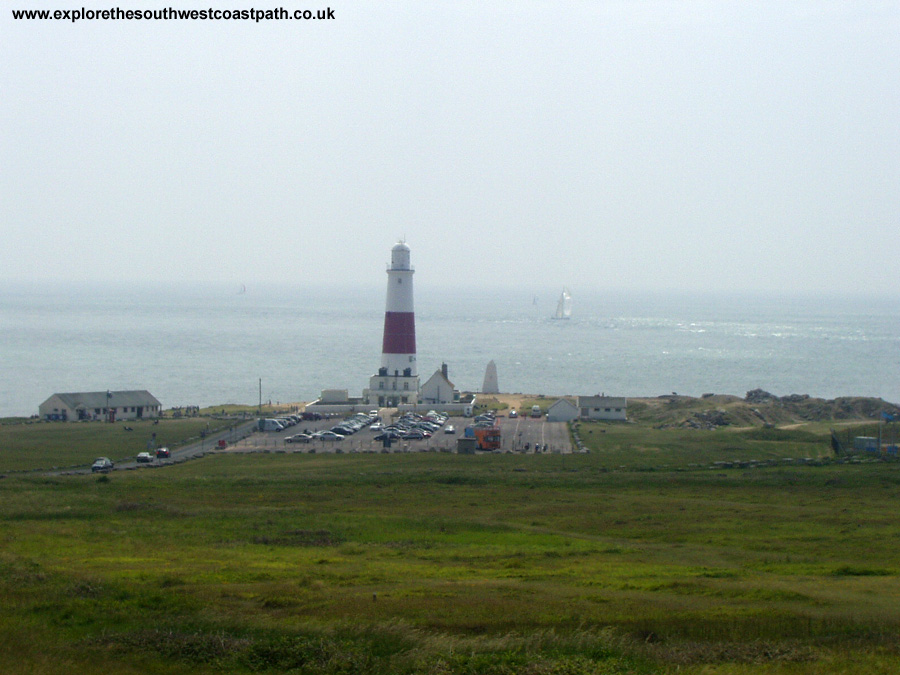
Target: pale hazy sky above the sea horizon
(643, 145)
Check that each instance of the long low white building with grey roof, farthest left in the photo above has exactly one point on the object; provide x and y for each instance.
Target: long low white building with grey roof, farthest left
(110, 406)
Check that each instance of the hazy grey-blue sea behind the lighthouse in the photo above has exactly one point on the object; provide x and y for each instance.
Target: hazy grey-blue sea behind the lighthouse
(207, 345)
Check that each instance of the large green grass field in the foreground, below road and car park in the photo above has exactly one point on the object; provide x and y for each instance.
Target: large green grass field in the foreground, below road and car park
(633, 558)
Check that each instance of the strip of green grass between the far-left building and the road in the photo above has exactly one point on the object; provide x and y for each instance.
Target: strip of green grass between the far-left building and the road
(45, 445)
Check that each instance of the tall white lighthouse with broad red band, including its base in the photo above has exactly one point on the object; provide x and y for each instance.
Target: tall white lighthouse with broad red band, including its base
(397, 380)
